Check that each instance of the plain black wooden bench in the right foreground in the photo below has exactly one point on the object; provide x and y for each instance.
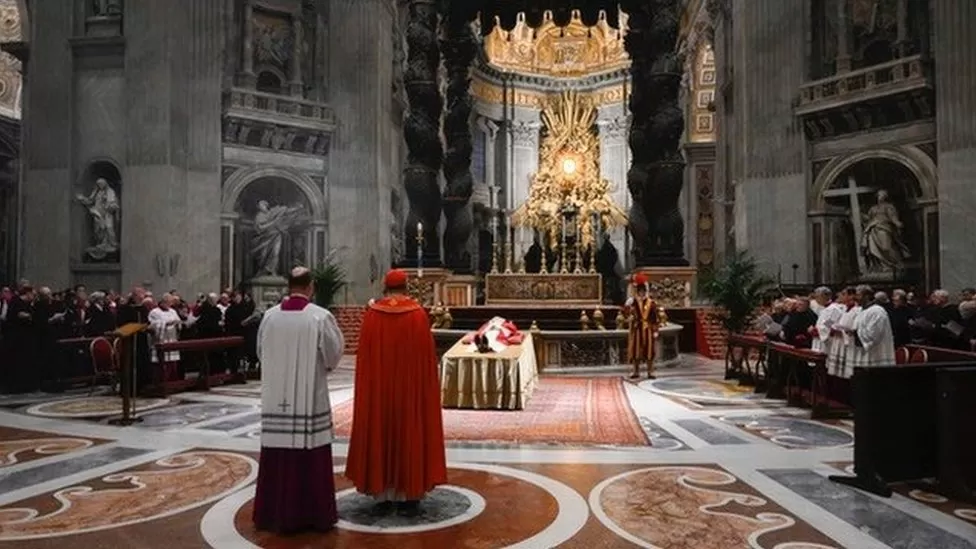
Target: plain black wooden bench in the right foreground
(900, 433)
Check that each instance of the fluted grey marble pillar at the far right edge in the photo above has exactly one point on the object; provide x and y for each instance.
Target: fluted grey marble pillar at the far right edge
(954, 49)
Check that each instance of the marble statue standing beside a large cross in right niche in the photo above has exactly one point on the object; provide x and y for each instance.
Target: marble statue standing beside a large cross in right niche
(882, 244)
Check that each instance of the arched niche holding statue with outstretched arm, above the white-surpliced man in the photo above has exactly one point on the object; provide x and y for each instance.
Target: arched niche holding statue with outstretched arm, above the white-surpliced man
(303, 229)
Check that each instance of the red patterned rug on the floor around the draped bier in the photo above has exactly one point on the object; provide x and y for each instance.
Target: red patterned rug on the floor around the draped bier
(562, 410)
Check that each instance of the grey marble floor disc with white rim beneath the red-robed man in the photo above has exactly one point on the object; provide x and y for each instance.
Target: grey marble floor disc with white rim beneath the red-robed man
(445, 506)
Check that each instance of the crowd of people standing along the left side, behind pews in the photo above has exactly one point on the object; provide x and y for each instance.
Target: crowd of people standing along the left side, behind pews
(34, 319)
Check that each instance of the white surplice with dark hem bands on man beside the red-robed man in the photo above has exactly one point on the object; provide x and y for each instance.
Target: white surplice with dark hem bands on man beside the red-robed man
(297, 349)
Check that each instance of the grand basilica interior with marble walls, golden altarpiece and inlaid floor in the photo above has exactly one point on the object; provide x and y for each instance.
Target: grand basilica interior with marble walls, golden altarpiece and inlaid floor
(519, 159)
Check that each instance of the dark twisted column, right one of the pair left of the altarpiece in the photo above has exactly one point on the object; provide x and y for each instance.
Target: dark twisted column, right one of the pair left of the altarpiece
(459, 48)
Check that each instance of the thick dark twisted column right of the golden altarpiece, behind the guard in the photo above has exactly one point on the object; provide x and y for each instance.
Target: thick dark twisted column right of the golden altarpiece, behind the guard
(656, 174)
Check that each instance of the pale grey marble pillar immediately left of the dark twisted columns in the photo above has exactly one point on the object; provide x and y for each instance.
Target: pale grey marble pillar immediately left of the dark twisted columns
(364, 163)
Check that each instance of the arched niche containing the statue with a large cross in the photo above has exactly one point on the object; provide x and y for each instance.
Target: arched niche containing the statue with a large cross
(857, 238)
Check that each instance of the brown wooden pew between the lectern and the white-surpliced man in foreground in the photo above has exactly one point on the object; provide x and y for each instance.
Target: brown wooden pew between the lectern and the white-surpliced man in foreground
(200, 350)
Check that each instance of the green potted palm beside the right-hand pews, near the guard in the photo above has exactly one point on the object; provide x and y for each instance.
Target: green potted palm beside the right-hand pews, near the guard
(736, 290)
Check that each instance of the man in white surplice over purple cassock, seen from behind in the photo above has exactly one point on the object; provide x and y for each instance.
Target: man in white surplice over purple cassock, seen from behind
(298, 344)
